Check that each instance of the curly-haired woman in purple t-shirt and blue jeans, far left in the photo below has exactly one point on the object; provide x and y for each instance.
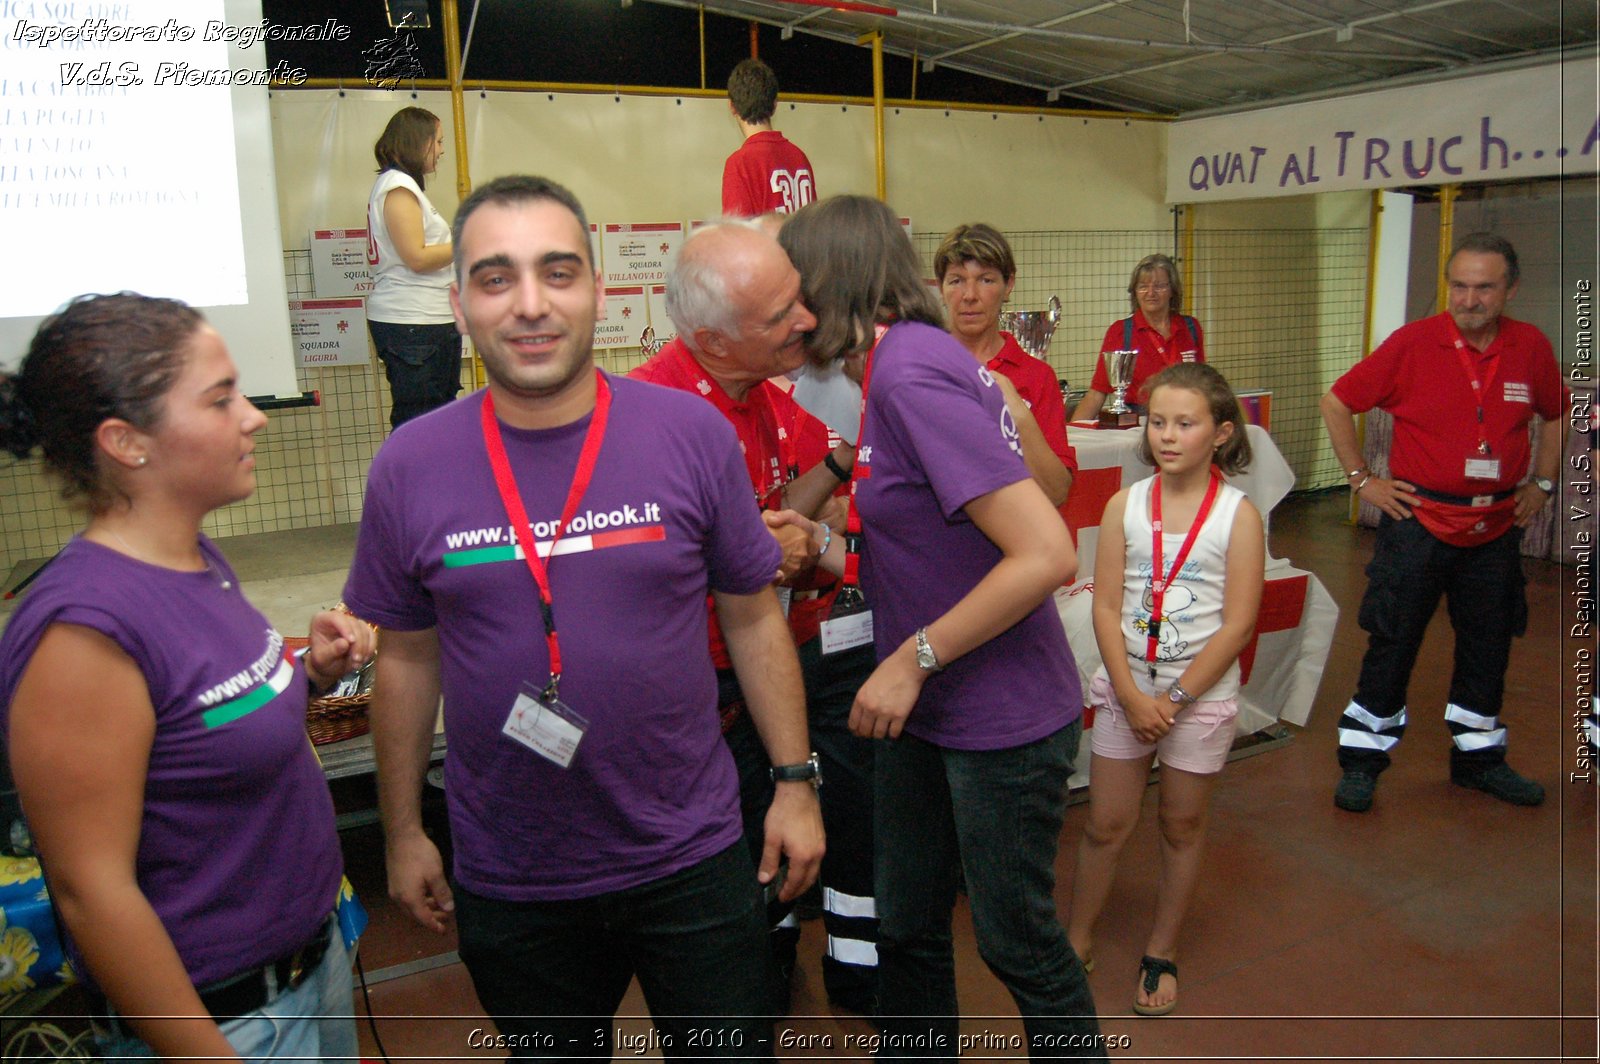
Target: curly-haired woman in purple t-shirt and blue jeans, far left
(154, 726)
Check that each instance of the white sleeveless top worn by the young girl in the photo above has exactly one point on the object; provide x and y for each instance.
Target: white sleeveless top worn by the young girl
(1193, 612)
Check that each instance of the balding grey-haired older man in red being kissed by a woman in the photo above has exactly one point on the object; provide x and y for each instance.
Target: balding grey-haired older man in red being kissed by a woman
(735, 300)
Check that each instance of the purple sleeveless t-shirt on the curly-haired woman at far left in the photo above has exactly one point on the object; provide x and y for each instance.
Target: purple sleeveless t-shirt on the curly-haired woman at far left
(238, 849)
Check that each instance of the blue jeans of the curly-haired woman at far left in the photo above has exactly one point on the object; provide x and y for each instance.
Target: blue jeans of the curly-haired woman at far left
(316, 1022)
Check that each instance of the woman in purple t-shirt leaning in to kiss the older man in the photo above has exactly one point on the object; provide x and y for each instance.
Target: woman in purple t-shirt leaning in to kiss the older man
(977, 698)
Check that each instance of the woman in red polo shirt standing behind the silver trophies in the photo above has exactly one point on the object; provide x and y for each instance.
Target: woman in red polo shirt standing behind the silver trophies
(1156, 330)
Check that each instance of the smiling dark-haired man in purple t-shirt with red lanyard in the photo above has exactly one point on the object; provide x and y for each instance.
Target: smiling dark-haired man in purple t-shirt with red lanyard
(594, 809)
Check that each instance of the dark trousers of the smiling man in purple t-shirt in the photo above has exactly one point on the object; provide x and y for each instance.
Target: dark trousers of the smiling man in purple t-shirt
(551, 974)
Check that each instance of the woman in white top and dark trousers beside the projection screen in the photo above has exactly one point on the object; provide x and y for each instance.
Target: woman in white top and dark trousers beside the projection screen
(409, 254)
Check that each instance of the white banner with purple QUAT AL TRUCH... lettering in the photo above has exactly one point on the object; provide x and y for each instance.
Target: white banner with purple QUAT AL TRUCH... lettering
(1495, 127)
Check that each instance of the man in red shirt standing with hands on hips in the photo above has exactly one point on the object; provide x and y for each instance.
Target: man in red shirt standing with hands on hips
(1462, 388)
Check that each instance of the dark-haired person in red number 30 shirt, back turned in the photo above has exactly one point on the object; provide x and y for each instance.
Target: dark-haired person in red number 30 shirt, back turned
(767, 174)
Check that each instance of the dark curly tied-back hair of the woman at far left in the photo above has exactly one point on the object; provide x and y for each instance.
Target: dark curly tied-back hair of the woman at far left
(100, 358)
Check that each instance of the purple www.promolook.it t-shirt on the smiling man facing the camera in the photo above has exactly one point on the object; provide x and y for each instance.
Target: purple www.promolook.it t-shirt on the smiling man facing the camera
(666, 519)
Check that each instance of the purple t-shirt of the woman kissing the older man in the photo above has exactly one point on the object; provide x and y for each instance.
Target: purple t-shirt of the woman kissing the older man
(937, 438)
